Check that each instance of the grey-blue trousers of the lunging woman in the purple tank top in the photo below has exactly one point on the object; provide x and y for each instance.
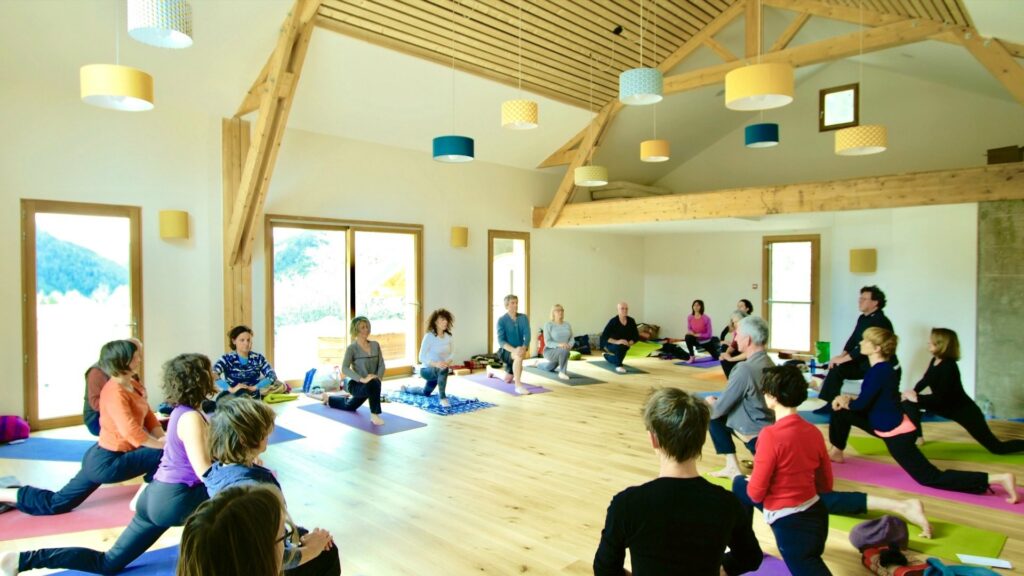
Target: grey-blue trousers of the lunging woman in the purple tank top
(161, 507)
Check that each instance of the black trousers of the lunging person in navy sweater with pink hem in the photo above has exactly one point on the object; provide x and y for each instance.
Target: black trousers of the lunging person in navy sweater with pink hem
(905, 450)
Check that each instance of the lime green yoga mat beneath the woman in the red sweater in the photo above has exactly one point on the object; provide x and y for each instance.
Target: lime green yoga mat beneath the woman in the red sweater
(948, 541)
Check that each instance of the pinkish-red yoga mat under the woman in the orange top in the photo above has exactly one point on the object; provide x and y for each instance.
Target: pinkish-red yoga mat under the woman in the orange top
(107, 508)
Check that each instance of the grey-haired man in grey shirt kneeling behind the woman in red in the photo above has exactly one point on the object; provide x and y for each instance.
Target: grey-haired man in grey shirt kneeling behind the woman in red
(741, 410)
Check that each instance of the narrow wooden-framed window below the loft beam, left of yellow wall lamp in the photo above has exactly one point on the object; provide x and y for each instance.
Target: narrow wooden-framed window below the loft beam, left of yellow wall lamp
(791, 272)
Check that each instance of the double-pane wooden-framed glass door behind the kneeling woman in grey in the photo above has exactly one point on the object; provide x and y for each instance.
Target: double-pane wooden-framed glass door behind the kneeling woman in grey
(323, 273)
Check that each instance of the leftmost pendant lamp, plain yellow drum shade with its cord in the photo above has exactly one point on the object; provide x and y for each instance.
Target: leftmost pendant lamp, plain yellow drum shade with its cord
(115, 87)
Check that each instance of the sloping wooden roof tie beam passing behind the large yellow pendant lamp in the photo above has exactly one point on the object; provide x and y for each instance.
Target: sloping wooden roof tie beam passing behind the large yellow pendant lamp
(875, 39)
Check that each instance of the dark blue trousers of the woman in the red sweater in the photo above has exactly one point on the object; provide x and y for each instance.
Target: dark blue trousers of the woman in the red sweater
(800, 538)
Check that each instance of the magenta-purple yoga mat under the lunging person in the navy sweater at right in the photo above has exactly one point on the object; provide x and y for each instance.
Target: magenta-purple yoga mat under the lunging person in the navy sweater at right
(891, 476)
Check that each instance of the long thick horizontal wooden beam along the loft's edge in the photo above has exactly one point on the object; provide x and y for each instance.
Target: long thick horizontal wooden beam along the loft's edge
(1003, 182)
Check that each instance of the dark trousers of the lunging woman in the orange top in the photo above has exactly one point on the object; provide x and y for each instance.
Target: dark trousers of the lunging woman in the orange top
(99, 467)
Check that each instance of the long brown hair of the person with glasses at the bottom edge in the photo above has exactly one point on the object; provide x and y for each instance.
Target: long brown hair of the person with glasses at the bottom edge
(234, 534)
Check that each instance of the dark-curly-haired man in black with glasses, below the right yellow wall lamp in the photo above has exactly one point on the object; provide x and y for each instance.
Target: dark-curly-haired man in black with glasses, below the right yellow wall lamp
(851, 365)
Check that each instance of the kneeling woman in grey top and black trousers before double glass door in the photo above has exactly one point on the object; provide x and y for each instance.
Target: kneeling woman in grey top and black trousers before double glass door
(364, 368)
